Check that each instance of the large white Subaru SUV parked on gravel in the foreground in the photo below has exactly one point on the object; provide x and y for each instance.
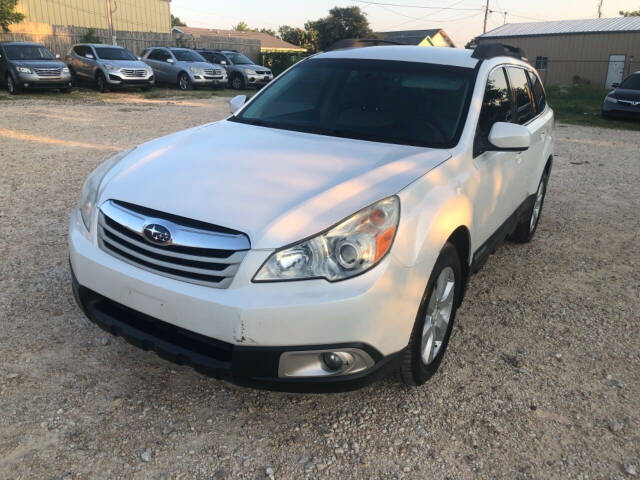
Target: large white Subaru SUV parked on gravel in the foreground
(325, 232)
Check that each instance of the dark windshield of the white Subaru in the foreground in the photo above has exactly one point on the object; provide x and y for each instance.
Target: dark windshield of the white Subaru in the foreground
(386, 101)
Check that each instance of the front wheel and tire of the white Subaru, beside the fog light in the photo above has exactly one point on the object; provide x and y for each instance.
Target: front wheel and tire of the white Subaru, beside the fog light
(424, 353)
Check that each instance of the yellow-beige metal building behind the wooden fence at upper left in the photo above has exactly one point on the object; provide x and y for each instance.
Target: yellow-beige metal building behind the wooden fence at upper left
(128, 15)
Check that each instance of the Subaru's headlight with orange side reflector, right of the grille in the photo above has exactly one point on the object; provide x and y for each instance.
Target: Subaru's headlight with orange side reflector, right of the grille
(350, 248)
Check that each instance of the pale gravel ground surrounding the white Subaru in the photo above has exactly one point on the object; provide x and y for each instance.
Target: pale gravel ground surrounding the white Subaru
(541, 380)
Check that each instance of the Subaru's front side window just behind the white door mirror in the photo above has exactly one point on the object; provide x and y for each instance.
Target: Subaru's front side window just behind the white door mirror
(496, 107)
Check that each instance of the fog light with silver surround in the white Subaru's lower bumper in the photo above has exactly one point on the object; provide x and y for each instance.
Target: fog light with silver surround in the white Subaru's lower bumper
(323, 363)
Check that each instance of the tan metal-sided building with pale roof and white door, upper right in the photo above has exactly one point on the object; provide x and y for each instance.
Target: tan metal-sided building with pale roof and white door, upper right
(599, 51)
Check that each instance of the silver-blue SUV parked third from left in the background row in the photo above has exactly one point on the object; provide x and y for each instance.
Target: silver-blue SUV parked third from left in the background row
(184, 67)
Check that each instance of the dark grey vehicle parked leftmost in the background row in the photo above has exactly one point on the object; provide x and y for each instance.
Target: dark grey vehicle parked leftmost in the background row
(26, 65)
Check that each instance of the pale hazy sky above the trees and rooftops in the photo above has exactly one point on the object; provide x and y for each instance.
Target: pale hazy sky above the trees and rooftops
(461, 19)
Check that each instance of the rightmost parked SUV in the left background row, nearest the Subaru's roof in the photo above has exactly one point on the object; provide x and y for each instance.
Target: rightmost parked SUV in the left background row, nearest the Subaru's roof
(242, 71)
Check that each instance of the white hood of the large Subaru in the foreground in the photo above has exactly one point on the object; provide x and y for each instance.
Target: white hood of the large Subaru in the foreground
(276, 186)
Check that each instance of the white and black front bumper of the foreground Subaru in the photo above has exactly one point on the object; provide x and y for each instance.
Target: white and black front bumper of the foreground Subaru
(253, 323)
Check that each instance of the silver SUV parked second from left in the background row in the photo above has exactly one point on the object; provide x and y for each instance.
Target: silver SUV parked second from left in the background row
(108, 67)
